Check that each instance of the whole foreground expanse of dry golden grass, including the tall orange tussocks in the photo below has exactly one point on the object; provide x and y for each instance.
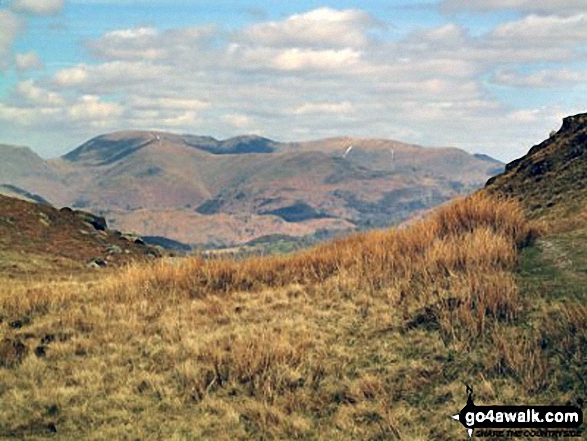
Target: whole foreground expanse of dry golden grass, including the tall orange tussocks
(368, 337)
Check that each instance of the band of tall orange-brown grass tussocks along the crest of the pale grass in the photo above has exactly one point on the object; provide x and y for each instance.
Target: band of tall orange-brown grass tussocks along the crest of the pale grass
(462, 252)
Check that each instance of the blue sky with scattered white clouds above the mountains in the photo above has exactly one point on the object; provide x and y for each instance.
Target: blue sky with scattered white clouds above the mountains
(487, 76)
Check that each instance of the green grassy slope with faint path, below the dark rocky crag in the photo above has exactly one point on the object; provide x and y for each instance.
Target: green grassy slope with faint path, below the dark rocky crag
(553, 279)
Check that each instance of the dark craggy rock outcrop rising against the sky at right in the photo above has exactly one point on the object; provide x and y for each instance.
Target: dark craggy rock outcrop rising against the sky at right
(553, 173)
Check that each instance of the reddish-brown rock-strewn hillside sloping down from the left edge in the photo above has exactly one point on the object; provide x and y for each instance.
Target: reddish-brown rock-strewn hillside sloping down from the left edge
(39, 238)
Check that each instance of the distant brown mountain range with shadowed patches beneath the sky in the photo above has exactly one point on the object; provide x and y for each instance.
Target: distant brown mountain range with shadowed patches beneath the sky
(204, 192)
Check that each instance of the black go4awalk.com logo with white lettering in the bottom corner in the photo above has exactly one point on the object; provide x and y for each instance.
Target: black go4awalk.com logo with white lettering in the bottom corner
(521, 421)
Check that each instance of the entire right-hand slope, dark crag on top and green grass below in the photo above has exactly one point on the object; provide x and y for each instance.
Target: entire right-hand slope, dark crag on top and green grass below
(549, 182)
